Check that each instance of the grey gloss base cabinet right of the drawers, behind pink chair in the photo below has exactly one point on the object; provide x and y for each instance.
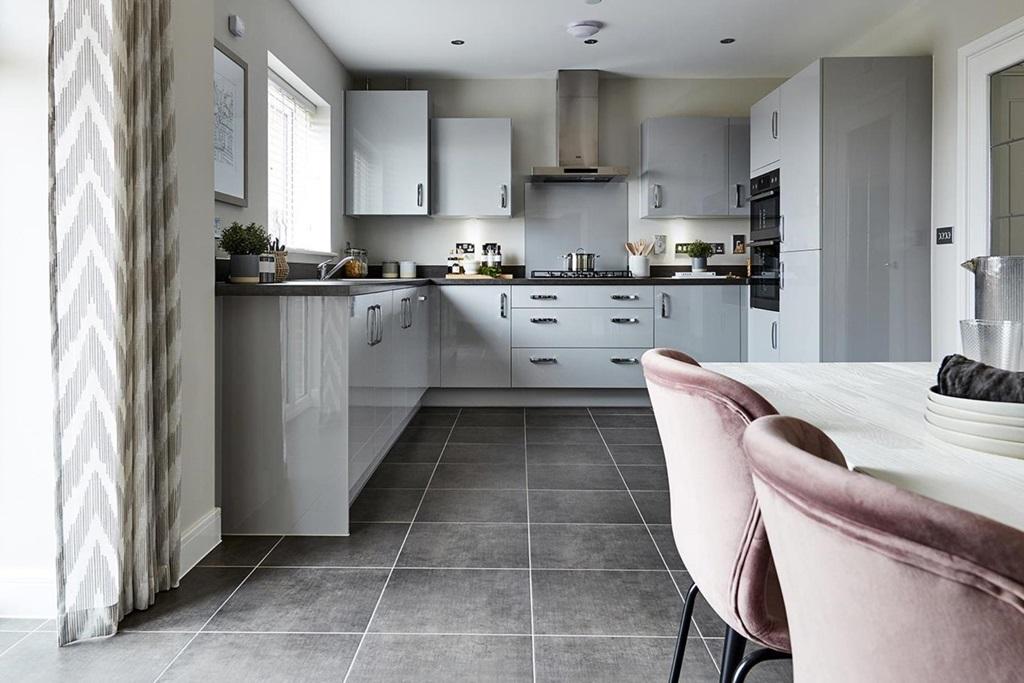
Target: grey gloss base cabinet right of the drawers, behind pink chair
(703, 321)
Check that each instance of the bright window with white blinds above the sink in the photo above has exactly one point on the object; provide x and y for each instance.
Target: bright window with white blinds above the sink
(298, 164)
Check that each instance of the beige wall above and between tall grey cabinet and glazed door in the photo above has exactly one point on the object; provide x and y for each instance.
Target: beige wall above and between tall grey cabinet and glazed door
(941, 28)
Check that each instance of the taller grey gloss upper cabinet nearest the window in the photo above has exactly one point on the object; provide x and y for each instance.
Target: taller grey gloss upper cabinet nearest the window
(388, 156)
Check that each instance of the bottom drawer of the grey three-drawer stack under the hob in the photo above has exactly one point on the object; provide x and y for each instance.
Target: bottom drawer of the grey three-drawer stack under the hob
(577, 368)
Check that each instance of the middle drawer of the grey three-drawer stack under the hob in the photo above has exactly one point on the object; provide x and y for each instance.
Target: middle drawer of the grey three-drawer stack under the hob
(583, 328)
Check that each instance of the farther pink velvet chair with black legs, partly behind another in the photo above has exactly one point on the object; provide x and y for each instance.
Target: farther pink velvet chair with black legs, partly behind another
(715, 519)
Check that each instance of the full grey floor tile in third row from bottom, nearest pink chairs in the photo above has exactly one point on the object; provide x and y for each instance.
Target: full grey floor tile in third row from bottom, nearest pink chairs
(593, 547)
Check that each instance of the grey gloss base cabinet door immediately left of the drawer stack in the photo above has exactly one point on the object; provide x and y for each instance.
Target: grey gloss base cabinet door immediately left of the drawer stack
(477, 336)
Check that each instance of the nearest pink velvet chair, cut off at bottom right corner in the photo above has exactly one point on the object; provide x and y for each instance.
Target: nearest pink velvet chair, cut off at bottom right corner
(881, 584)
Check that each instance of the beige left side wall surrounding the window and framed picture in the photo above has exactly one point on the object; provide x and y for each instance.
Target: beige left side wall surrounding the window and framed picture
(275, 26)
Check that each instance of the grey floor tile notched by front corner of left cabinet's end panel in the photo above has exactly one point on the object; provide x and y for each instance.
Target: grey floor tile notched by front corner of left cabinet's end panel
(366, 546)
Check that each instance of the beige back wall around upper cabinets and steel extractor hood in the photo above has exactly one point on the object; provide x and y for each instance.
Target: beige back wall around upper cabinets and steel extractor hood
(531, 105)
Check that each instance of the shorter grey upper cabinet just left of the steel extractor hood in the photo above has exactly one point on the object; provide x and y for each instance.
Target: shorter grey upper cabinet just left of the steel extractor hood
(472, 166)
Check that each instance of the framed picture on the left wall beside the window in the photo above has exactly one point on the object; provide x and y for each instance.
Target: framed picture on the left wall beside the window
(231, 118)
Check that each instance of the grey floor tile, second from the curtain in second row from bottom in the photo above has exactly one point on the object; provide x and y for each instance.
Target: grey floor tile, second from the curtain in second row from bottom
(281, 600)
